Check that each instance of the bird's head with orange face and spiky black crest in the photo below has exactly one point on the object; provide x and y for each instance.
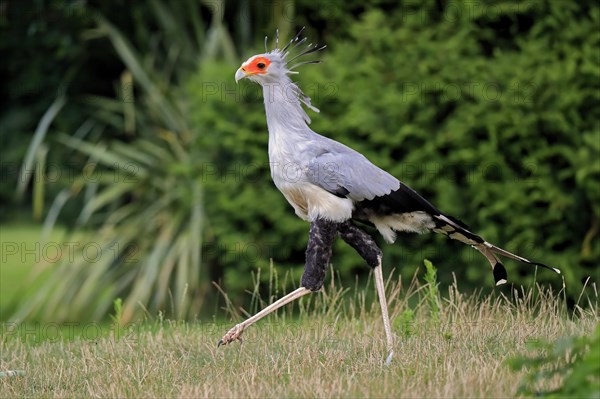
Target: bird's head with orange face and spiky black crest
(273, 66)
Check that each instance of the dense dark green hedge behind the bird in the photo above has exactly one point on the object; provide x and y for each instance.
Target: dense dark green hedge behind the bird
(491, 112)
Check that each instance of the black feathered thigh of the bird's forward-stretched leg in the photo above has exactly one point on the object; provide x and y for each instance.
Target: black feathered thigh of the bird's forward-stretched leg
(320, 242)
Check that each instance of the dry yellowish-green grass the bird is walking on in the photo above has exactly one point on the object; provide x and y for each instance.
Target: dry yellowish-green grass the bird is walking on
(335, 348)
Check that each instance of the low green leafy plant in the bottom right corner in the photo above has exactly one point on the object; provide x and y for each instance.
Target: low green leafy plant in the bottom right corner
(573, 360)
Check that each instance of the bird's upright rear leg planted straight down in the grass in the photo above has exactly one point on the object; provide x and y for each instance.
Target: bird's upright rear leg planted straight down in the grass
(369, 251)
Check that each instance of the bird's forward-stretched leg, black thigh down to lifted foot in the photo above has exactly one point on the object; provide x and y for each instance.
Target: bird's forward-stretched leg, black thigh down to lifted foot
(318, 252)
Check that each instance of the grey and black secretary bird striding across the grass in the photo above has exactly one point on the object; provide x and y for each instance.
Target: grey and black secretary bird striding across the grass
(330, 185)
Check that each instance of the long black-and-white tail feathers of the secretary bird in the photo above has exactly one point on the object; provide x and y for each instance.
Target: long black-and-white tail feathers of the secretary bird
(457, 230)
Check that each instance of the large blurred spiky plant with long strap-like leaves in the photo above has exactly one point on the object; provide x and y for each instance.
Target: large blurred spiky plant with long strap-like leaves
(139, 236)
